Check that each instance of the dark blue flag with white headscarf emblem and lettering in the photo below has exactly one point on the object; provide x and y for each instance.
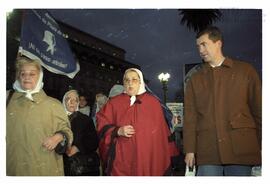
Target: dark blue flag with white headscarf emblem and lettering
(42, 39)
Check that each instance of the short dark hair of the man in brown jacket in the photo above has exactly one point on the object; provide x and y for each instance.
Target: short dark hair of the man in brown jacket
(213, 32)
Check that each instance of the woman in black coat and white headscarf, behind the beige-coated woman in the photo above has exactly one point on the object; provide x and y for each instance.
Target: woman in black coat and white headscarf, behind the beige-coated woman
(82, 158)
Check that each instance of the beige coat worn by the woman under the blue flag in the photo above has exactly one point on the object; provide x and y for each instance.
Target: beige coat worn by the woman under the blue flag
(28, 124)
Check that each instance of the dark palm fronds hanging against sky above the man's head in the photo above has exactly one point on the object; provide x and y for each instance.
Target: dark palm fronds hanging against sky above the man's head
(199, 19)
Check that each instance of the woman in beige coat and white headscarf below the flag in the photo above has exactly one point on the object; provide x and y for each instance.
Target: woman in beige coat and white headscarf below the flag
(36, 126)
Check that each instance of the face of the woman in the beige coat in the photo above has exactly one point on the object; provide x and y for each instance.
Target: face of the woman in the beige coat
(28, 78)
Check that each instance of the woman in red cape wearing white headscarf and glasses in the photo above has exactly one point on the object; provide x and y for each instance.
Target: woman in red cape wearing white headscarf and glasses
(133, 132)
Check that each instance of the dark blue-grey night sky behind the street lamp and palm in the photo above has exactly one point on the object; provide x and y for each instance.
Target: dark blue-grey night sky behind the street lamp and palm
(155, 39)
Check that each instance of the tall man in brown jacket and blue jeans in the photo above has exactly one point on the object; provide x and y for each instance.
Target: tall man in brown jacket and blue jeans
(222, 126)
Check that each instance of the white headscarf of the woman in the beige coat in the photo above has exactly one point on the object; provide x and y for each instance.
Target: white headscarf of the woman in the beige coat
(28, 93)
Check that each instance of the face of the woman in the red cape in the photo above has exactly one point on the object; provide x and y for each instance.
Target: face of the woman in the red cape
(132, 83)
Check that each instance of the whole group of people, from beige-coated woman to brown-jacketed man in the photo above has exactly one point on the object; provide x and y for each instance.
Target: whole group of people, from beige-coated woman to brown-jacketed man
(129, 132)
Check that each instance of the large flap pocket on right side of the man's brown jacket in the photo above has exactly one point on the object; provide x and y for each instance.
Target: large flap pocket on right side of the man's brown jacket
(244, 136)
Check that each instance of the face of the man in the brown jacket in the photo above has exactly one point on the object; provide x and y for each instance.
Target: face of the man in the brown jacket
(208, 49)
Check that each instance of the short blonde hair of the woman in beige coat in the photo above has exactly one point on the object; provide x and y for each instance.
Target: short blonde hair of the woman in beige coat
(22, 60)
